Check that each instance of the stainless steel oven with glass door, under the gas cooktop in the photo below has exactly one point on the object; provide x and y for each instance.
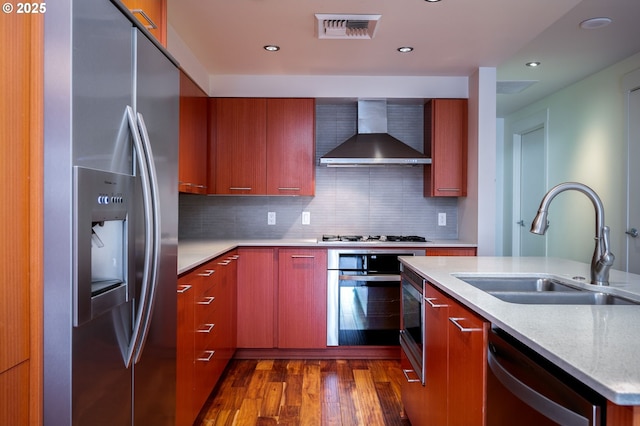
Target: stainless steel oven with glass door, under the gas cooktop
(364, 296)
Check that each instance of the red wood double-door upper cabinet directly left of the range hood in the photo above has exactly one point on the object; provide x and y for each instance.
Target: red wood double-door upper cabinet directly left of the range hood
(262, 146)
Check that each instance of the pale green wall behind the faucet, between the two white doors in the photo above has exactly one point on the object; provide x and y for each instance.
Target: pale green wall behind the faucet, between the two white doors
(586, 143)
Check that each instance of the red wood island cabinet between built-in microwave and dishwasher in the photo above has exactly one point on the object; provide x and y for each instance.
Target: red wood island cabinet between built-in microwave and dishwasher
(455, 366)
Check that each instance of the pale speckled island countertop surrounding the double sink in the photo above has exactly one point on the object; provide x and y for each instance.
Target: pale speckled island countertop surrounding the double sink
(598, 345)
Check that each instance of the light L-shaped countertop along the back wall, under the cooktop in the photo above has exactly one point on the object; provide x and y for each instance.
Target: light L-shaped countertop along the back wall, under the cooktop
(192, 253)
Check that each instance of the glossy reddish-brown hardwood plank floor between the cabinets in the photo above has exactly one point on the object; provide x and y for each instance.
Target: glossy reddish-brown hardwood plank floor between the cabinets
(307, 392)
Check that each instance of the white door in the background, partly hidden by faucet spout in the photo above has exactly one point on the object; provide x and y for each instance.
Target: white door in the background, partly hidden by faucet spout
(532, 189)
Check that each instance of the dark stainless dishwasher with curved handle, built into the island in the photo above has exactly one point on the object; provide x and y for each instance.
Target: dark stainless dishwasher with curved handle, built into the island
(525, 389)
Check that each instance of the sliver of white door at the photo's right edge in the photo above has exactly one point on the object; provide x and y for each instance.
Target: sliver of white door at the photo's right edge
(633, 219)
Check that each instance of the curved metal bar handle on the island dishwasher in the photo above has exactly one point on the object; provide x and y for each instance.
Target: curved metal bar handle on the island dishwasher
(534, 399)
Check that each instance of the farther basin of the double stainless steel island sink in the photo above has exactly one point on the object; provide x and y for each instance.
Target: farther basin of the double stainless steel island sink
(519, 284)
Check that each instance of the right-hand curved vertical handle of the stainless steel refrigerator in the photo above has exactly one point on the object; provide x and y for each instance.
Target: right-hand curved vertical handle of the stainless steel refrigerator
(147, 308)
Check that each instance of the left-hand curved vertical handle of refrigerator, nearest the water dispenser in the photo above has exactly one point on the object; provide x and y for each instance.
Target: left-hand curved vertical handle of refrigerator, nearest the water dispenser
(143, 171)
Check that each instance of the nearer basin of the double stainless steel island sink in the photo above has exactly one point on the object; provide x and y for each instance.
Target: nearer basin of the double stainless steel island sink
(585, 297)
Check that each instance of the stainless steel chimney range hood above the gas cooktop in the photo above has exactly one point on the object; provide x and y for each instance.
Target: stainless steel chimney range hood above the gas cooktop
(372, 145)
